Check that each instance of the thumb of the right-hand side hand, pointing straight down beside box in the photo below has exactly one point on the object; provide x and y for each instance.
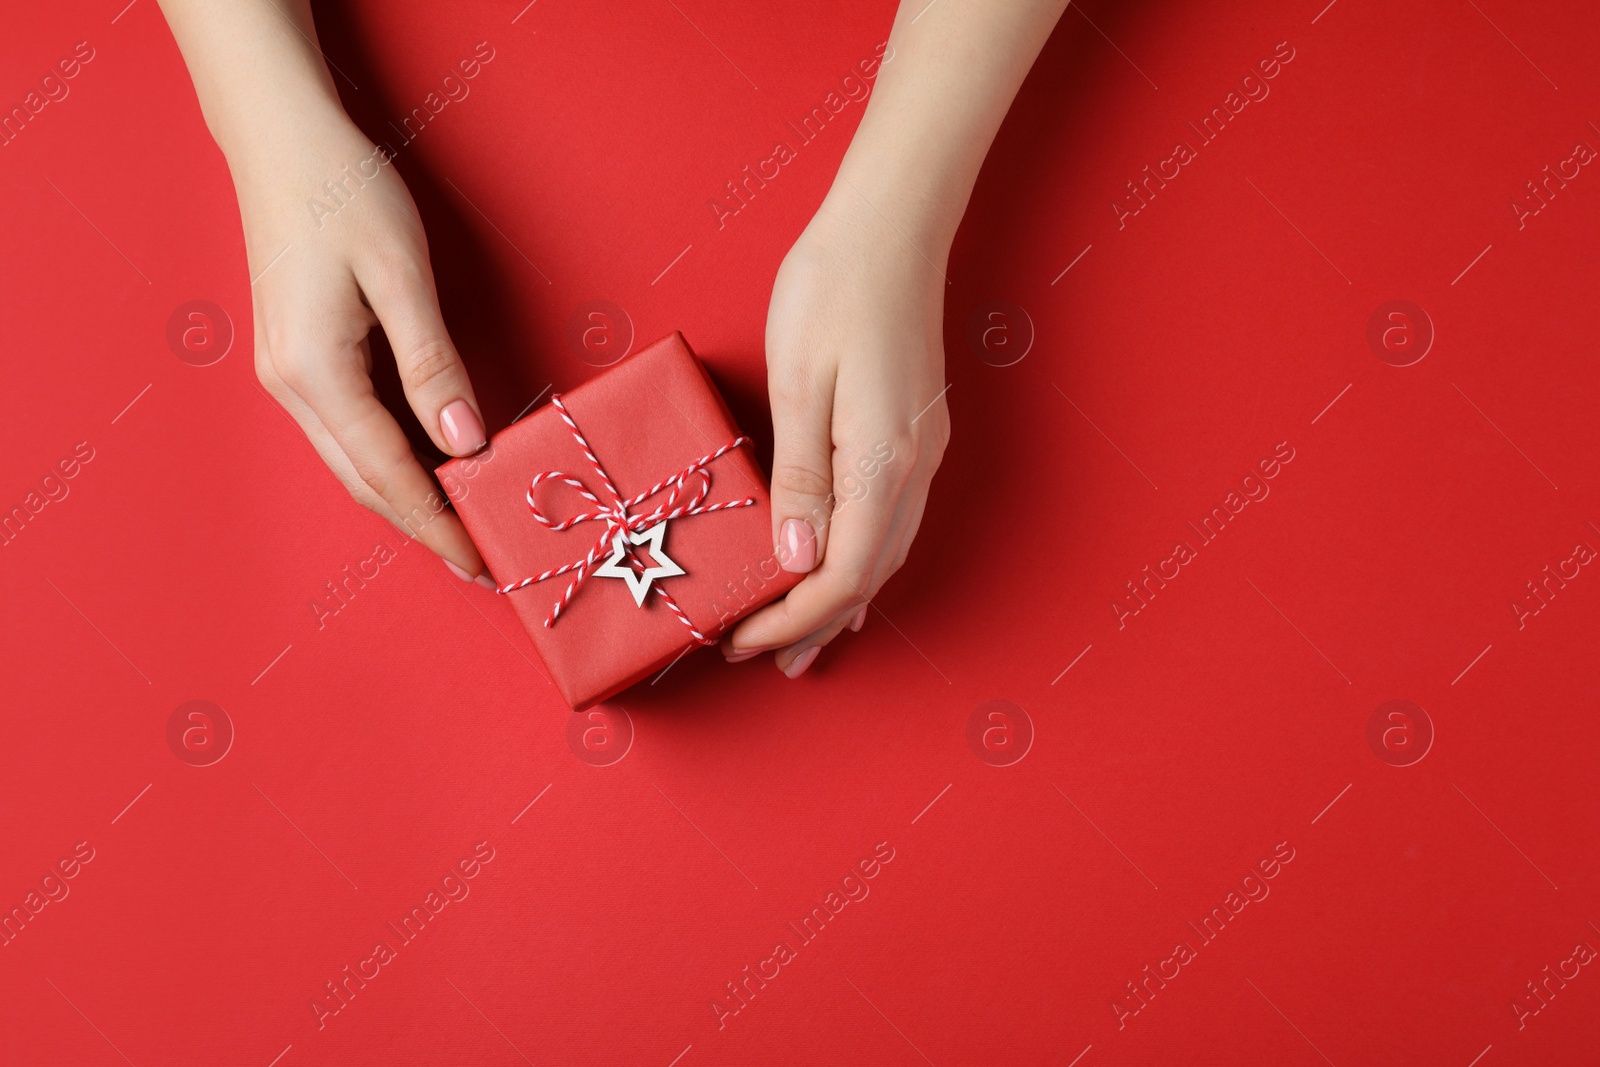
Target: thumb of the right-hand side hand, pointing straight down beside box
(802, 474)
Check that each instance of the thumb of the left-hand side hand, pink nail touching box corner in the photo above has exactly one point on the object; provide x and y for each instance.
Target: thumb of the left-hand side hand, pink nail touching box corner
(431, 370)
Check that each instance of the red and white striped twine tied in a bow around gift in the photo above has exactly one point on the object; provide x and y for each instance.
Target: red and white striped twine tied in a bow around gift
(682, 502)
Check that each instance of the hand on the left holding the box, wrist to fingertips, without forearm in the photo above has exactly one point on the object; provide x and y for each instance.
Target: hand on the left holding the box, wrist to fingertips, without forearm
(335, 249)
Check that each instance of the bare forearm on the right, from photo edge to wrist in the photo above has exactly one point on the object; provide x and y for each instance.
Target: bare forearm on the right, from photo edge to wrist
(940, 98)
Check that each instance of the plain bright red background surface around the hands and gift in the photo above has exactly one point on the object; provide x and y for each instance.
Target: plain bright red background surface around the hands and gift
(1177, 753)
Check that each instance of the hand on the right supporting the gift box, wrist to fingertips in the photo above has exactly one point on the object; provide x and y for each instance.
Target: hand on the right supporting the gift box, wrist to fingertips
(855, 366)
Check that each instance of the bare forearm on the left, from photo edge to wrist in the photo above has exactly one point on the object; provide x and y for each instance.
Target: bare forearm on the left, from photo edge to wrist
(257, 71)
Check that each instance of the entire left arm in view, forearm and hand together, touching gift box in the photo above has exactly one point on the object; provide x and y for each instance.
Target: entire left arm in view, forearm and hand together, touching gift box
(335, 247)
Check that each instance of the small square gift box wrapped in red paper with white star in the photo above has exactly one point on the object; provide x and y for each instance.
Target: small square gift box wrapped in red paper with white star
(649, 454)
